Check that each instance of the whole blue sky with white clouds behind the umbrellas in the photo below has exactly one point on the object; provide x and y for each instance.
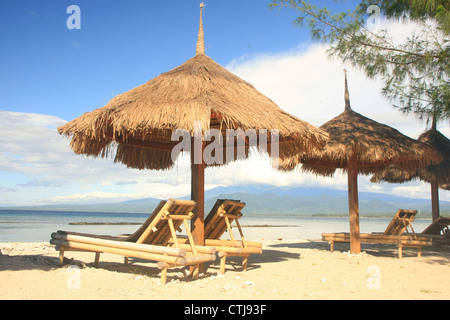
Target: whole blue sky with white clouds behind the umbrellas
(51, 74)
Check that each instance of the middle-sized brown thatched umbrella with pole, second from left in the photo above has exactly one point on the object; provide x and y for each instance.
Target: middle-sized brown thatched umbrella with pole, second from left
(360, 145)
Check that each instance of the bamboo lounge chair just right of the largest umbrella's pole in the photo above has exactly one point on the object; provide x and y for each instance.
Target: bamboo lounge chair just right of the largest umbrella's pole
(219, 220)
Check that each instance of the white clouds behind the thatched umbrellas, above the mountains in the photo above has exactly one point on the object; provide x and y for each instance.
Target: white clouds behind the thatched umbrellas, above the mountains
(303, 81)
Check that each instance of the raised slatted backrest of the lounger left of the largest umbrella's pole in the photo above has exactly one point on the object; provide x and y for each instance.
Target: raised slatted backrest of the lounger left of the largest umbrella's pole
(156, 229)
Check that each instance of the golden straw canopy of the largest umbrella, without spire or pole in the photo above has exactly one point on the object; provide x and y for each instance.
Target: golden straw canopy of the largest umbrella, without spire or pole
(199, 90)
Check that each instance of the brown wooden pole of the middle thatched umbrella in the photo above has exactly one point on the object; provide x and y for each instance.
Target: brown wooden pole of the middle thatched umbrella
(352, 172)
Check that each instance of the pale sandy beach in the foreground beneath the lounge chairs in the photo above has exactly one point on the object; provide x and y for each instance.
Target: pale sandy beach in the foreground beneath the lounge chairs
(287, 269)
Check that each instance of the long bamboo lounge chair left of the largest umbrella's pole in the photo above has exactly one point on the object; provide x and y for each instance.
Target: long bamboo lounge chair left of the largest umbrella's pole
(149, 242)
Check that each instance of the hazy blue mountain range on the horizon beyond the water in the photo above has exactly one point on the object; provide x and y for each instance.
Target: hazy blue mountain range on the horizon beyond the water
(266, 199)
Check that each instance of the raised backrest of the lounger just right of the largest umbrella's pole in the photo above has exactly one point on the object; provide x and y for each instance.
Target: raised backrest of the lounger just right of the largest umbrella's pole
(215, 224)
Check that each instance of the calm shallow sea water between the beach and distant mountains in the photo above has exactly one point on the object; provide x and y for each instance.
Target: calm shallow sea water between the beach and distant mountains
(37, 226)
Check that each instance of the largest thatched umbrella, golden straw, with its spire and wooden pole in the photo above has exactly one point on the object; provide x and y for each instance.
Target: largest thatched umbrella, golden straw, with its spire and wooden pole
(138, 125)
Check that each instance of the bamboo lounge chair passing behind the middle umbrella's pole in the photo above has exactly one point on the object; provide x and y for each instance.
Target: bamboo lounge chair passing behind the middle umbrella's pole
(397, 232)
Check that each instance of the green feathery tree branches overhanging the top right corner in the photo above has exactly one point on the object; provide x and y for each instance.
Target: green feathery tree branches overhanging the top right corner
(415, 72)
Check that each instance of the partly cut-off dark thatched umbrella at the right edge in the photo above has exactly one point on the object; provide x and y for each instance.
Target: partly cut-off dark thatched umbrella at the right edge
(438, 175)
